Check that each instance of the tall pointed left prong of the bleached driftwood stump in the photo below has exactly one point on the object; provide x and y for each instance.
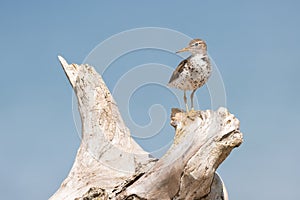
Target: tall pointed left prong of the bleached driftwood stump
(107, 154)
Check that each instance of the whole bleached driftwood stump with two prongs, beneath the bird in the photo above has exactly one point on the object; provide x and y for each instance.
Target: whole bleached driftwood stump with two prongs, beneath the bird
(111, 165)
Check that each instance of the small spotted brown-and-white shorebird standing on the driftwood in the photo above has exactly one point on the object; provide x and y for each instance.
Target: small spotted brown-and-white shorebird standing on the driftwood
(193, 72)
